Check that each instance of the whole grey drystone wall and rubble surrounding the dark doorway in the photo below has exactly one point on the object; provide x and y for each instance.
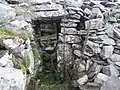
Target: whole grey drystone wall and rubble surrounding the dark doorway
(89, 38)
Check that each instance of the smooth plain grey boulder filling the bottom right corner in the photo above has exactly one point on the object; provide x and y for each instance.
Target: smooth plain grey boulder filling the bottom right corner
(113, 83)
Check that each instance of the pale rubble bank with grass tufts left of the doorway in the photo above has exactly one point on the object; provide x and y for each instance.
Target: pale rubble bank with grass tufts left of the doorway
(15, 45)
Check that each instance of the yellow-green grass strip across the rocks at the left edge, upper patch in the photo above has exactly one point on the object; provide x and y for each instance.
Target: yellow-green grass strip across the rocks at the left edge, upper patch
(6, 33)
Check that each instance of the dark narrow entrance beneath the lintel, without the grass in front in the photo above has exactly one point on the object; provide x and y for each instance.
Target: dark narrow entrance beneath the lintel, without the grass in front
(46, 33)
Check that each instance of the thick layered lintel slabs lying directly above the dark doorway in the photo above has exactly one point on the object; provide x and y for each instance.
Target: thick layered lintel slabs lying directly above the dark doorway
(46, 10)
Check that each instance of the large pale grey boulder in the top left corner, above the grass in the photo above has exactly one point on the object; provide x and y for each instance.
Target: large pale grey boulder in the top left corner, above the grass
(6, 12)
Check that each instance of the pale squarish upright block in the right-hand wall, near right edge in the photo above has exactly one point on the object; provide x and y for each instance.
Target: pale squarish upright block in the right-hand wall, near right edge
(107, 52)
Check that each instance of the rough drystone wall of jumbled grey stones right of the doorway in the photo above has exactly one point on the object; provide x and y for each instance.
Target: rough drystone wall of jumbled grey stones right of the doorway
(89, 37)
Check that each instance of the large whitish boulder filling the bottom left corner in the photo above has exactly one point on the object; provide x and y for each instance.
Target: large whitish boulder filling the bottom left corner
(12, 79)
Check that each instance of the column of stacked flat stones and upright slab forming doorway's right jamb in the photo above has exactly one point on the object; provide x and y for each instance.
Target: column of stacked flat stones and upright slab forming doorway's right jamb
(69, 35)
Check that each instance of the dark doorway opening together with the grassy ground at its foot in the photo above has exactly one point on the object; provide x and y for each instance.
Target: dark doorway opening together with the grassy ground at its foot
(46, 34)
